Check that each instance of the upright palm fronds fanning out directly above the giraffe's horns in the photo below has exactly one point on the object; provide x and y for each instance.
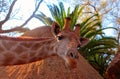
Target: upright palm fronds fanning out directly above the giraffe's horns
(59, 14)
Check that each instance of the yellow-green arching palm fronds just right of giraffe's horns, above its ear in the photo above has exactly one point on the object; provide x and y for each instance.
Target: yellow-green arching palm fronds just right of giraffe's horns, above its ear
(90, 26)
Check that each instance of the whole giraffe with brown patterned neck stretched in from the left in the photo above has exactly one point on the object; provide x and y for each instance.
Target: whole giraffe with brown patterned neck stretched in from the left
(23, 50)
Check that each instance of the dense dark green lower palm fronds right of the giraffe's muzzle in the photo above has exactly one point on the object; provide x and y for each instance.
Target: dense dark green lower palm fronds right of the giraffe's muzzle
(96, 50)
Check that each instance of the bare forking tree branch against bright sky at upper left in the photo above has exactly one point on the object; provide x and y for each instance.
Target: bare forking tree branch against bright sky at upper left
(18, 28)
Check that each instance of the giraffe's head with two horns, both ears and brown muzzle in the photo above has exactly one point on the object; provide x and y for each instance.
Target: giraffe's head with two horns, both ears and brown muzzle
(68, 43)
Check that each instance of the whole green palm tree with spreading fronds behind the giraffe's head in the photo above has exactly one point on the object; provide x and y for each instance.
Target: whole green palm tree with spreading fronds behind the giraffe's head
(100, 49)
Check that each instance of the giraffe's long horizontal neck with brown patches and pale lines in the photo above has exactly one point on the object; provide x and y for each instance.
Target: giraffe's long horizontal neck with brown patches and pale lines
(16, 51)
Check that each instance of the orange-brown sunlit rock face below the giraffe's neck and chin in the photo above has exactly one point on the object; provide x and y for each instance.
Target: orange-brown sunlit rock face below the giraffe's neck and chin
(50, 68)
